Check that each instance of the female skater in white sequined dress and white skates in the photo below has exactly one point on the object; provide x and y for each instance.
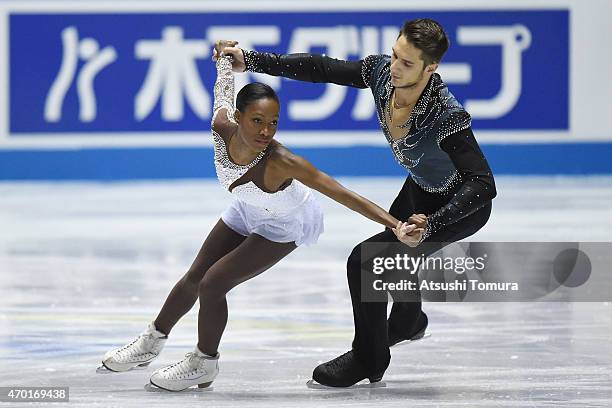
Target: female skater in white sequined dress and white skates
(273, 213)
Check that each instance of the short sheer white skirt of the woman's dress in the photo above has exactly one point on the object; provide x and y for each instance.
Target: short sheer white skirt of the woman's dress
(303, 225)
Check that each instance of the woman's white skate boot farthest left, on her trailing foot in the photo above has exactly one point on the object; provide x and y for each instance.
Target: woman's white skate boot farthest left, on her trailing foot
(138, 353)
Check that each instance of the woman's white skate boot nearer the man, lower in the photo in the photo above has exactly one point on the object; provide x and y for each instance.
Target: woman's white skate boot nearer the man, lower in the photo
(196, 368)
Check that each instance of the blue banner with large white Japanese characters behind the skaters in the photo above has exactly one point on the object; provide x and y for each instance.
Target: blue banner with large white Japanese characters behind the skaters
(153, 72)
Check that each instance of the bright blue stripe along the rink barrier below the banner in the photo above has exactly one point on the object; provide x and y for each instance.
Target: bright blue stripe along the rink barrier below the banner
(359, 161)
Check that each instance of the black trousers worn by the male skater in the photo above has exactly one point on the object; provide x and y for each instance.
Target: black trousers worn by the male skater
(370, 343)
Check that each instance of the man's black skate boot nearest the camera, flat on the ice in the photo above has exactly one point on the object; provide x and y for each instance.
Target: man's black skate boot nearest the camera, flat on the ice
(343, 371)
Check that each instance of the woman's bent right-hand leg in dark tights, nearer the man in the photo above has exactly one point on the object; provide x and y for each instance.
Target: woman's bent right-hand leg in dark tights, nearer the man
(253, 256)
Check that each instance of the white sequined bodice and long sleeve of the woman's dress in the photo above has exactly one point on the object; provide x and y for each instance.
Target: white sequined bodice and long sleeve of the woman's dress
(278, 203)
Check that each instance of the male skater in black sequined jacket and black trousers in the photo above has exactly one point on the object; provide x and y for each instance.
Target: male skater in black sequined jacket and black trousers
(430, 135)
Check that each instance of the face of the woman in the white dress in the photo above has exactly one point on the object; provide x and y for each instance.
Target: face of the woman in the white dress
(257, 124)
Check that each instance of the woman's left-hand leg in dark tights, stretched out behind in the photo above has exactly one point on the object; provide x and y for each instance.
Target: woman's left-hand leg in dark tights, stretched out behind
(219, 242)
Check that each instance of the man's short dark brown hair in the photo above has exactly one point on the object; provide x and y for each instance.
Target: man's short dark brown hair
(428, 36)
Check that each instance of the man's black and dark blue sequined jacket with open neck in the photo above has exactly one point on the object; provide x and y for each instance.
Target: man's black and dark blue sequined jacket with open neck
(439, 148)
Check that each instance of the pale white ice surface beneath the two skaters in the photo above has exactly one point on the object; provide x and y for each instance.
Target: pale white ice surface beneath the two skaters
(85, 266)
